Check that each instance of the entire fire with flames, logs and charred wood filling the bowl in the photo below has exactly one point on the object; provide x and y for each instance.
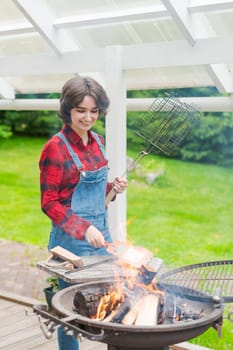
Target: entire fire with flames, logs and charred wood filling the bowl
(135, 299)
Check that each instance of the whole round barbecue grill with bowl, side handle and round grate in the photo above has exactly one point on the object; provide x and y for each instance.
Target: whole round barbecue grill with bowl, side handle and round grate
(204, 287)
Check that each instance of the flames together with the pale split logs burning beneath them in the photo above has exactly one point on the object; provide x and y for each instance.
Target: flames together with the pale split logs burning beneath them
(124, 300)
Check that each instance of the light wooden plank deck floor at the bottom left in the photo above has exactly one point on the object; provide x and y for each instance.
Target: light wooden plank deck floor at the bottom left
(21, 332)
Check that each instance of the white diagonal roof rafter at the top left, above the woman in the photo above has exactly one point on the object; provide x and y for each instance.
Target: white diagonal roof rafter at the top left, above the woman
(39, 16)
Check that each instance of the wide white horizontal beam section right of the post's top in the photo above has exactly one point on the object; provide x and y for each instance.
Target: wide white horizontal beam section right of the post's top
(178, 53)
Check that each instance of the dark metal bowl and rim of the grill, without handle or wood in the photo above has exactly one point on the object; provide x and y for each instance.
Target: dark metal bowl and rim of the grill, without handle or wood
(134, 337)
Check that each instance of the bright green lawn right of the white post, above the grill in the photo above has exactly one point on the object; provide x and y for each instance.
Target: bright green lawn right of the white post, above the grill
(185, 216)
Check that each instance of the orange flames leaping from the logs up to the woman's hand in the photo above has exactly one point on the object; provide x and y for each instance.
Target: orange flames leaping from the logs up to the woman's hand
(135, 282)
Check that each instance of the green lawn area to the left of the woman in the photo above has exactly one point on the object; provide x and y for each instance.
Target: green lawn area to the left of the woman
(20, 215)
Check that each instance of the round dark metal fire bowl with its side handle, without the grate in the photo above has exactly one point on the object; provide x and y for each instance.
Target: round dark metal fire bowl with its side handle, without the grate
(122, 337)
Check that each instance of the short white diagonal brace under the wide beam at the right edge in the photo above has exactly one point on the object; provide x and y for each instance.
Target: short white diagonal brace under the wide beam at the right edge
(221, 76)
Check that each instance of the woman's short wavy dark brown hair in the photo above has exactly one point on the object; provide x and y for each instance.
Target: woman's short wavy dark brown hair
(74, 91)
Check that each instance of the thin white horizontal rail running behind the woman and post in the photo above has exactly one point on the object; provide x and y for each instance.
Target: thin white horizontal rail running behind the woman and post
(205, 104)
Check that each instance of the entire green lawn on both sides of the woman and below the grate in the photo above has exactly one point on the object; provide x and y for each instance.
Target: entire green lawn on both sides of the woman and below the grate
(185, 217)
